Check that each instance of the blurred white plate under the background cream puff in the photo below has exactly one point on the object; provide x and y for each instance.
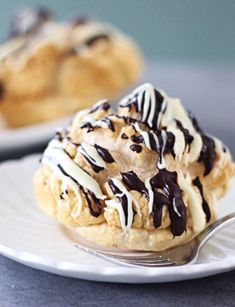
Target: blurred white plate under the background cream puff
(28, 136)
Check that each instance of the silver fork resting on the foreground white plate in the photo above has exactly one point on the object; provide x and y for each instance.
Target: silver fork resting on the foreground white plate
(183, 254)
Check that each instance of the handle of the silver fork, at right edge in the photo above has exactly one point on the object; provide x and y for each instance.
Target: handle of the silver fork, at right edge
(212, 229)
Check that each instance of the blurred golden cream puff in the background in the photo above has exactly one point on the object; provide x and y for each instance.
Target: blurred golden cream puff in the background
(49, 69)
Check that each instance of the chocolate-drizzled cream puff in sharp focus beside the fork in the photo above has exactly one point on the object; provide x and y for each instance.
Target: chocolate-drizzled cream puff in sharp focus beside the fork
(146, 177)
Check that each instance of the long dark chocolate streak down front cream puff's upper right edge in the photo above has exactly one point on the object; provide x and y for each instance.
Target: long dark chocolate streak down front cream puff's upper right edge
(208, 153)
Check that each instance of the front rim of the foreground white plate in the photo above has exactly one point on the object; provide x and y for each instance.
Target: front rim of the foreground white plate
(113, 273)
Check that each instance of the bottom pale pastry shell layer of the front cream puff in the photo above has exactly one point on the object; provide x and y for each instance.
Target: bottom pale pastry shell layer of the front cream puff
(132, 239)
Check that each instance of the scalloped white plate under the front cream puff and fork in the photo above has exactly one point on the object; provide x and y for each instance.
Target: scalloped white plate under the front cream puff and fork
(31, 238)
